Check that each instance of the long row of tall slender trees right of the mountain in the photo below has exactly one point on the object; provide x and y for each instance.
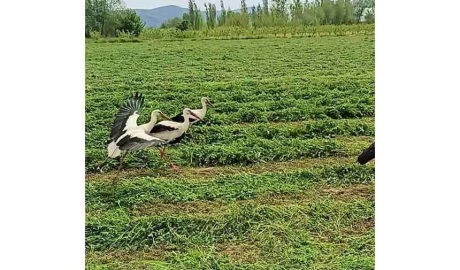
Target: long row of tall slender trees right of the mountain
(278, 13)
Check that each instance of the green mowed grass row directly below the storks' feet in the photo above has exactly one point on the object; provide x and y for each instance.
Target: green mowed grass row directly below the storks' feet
(129, 194)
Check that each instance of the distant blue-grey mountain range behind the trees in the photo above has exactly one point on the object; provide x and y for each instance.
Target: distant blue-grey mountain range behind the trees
(155, 17)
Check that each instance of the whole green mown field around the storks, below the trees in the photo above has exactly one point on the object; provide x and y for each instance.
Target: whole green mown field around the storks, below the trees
(268, 181)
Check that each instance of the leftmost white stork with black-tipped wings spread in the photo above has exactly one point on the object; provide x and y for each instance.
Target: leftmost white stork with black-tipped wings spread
(126, 135)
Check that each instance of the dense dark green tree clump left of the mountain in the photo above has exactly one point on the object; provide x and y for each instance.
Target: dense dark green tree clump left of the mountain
(109, 18)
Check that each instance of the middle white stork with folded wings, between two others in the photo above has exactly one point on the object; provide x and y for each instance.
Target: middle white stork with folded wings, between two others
(173, 132)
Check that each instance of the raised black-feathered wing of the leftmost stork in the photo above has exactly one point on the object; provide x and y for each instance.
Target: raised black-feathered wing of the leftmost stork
(129, 107)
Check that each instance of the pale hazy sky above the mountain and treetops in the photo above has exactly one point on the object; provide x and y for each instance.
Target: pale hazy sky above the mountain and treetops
(148, 4)
